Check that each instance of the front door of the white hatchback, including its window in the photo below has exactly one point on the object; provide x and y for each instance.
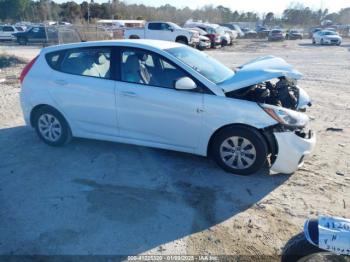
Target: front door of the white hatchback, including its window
(150, 109)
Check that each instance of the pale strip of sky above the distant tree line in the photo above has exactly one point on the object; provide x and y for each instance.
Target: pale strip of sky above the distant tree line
(259, 6)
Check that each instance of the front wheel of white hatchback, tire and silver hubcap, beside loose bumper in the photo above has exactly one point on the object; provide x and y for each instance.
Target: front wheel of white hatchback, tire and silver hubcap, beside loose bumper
(239, 150)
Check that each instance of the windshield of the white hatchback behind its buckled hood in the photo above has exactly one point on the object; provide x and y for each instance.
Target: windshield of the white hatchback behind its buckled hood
(202, 63)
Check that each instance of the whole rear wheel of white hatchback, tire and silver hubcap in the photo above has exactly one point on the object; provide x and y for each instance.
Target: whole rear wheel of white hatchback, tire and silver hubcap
(51, 127)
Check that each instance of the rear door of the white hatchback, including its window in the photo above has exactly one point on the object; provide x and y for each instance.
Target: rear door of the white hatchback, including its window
(83, 87)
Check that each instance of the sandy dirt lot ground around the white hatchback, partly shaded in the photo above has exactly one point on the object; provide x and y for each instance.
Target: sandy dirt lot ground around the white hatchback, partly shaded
(94, 197)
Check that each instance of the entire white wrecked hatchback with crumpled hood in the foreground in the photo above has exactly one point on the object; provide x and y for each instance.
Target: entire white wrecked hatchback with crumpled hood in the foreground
(167, 95)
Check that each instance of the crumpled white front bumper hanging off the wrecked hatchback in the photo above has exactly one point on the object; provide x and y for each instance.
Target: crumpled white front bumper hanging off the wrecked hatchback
(292, 149)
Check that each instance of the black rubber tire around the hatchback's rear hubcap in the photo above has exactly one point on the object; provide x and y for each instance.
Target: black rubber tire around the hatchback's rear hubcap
(65, 134)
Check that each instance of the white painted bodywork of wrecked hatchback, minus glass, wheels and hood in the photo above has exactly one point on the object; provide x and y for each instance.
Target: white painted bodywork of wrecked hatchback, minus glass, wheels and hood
(145, 115)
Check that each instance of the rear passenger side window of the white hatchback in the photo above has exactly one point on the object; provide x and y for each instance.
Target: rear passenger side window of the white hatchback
(94, 62)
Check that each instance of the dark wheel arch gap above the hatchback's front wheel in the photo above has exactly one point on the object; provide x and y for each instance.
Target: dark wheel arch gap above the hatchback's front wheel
(265, 133)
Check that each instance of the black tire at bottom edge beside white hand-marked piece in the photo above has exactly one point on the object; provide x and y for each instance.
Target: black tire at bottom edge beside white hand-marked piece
(297, 248)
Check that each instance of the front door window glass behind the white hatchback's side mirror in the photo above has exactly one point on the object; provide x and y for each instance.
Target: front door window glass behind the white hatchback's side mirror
(147, 68)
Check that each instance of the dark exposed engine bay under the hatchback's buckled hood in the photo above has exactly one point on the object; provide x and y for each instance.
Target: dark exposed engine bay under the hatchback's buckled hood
(283, 93)
